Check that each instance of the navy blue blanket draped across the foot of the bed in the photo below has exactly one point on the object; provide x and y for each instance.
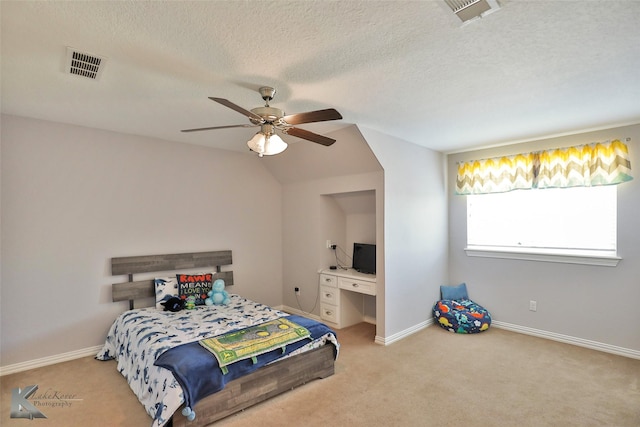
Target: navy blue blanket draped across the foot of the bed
(199, 374)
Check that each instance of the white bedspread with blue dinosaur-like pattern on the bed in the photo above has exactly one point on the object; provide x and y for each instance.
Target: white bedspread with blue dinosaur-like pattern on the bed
(138, 337)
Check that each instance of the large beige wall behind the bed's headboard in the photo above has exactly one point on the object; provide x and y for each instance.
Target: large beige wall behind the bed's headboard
(74, 197)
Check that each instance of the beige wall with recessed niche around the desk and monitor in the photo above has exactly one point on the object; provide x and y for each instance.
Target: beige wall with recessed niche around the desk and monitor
(329, 193)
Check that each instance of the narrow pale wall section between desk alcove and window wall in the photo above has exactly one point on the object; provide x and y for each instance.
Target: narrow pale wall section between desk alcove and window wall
(415, 231)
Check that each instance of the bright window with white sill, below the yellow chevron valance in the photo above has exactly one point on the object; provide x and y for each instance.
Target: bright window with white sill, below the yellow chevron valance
(564, 225)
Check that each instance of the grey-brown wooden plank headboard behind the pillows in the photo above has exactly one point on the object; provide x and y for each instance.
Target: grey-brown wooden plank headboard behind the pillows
(133, 290)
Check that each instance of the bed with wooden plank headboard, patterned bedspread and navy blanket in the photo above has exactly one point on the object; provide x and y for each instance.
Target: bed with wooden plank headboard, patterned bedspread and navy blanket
(159, 351)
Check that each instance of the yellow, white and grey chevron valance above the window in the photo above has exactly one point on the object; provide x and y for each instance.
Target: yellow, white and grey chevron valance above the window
(604, 163)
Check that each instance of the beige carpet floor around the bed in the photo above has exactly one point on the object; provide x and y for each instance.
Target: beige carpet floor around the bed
(431, 378)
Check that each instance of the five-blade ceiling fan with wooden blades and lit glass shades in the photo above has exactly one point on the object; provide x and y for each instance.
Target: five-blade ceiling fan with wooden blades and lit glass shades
(270, 119)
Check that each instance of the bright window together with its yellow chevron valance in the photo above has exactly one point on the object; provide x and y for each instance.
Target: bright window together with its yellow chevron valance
(554, 205)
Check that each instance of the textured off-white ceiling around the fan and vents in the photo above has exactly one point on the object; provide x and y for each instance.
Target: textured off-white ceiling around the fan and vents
(409, 69)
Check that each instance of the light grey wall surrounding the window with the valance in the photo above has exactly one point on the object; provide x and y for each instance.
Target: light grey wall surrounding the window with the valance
(586, 302)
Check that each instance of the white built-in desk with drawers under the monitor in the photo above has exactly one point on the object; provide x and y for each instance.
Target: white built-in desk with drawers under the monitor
(341, 296)
